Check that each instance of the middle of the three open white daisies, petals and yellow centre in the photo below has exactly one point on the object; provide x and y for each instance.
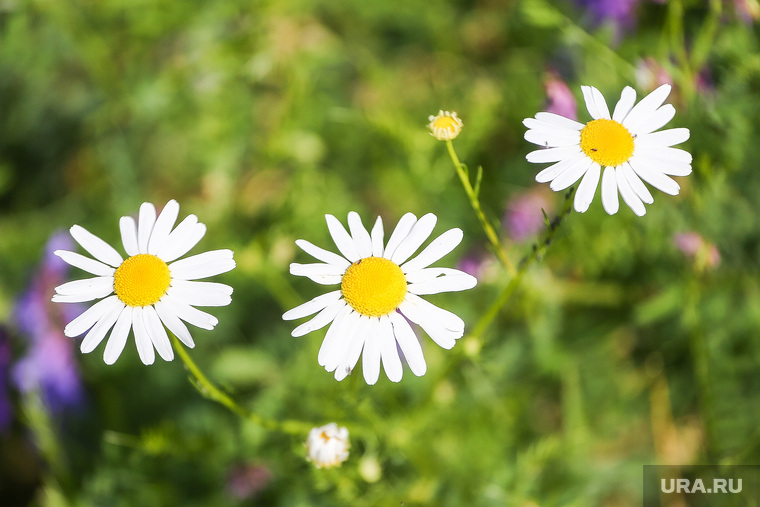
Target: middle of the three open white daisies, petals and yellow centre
(379, 289)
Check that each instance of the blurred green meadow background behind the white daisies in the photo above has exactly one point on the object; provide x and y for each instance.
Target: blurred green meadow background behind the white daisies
(618, 349)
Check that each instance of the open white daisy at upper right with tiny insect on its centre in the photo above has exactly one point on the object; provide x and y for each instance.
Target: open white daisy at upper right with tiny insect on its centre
(625, 144)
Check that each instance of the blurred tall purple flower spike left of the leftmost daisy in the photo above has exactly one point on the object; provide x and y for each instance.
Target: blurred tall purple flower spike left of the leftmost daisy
(49, 366)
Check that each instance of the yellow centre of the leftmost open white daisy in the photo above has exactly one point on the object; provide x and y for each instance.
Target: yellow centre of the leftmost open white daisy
(141, 280)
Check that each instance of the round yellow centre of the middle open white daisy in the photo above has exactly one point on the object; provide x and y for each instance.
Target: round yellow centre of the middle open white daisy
(374, 286)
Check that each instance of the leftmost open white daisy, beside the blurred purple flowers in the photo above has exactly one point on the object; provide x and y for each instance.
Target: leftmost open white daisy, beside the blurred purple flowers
(147, 289)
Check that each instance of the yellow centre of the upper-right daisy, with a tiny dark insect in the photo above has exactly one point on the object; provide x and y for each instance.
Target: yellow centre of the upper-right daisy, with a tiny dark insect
(607, 142)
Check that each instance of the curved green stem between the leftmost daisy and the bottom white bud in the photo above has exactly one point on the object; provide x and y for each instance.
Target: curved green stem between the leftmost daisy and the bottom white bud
(209, 391)
